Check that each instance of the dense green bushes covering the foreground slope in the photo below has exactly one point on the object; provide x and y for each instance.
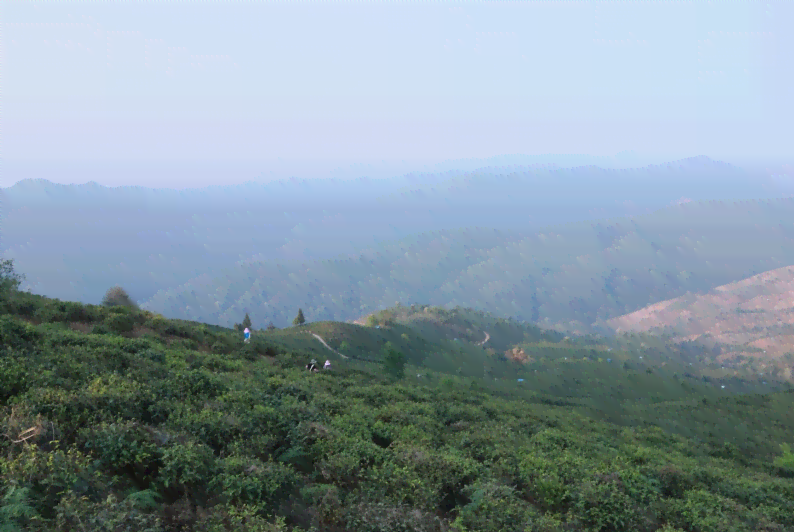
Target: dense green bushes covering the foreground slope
(119, 419)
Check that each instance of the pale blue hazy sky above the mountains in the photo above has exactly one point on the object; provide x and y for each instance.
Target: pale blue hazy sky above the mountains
(186, 94)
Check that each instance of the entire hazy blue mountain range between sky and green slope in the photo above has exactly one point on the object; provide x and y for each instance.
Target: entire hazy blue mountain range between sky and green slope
(517, 241)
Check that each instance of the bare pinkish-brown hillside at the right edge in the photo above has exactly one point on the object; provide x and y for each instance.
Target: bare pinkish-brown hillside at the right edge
(751, 320)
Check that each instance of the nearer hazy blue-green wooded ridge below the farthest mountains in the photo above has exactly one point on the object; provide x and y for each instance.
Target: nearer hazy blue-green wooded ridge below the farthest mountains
(570, 278)
